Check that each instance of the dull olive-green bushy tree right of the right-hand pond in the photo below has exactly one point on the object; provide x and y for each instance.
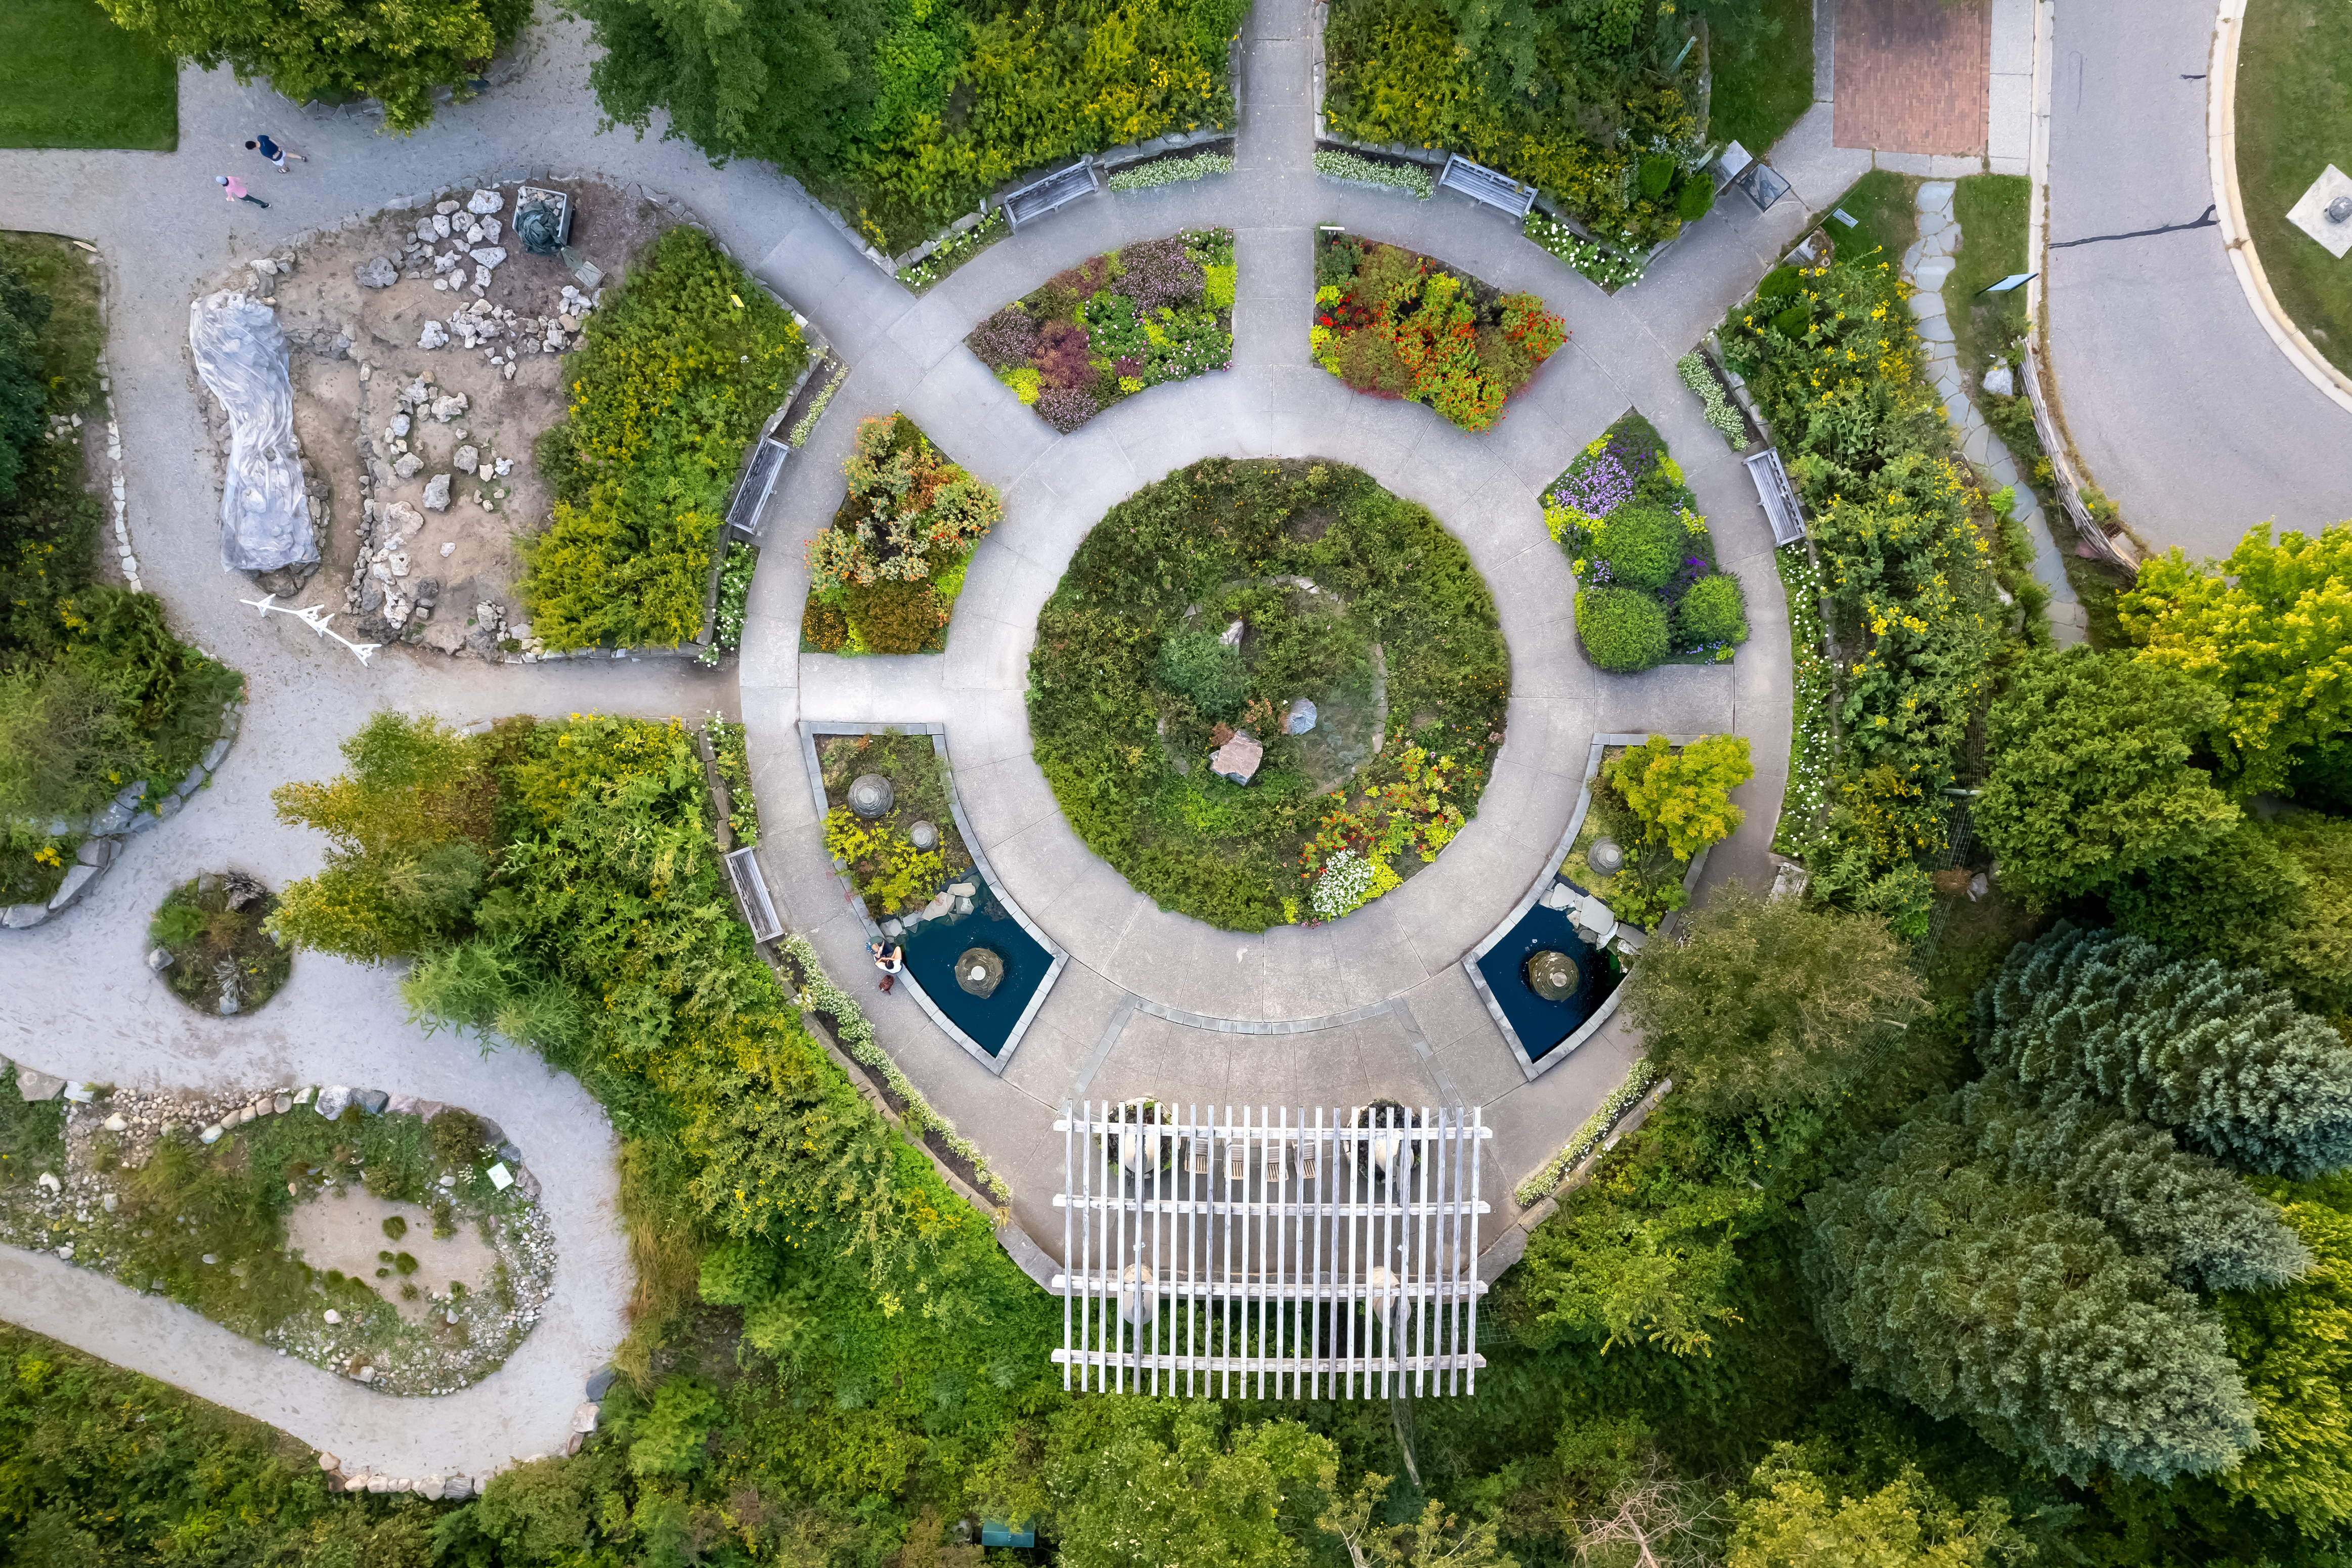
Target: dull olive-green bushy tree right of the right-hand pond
(1770, 1000)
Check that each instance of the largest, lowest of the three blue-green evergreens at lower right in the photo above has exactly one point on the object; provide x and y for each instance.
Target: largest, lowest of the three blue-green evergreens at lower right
(1986, 1301)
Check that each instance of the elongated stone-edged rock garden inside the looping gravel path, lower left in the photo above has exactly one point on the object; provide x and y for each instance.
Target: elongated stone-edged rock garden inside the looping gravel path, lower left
(385, 1238)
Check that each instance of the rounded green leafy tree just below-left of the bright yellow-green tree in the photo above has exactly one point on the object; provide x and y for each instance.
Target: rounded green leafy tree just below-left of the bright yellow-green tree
(2092, 772)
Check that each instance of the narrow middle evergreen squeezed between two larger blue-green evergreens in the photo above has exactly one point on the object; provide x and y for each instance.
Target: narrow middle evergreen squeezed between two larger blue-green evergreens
(2198, 1221)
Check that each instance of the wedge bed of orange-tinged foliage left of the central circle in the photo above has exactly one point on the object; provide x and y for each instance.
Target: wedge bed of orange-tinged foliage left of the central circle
(883, 579)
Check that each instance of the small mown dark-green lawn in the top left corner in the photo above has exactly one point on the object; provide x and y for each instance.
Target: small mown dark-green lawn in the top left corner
(72, 79)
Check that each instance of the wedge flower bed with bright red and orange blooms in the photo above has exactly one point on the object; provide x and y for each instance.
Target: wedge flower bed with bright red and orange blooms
(1398, 326)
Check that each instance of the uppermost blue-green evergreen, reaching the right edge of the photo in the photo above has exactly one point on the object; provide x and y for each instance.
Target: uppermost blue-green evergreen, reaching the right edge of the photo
(2212, 1052)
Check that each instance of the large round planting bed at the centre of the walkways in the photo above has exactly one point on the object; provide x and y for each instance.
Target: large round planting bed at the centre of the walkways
(1269, 692)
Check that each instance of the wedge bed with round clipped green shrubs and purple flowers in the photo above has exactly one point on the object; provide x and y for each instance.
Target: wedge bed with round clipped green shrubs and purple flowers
(1648, 589)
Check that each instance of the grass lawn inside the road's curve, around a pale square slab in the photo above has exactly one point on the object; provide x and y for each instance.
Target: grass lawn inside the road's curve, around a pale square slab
(2294, 119)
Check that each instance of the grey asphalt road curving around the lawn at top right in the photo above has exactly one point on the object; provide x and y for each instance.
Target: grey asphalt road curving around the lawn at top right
(2177, 398)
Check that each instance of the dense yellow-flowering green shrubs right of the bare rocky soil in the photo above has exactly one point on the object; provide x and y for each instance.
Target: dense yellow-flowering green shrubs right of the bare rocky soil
(674, 377)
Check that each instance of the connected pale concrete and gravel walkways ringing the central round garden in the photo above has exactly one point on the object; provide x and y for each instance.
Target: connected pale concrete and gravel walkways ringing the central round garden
(91, 1010)
